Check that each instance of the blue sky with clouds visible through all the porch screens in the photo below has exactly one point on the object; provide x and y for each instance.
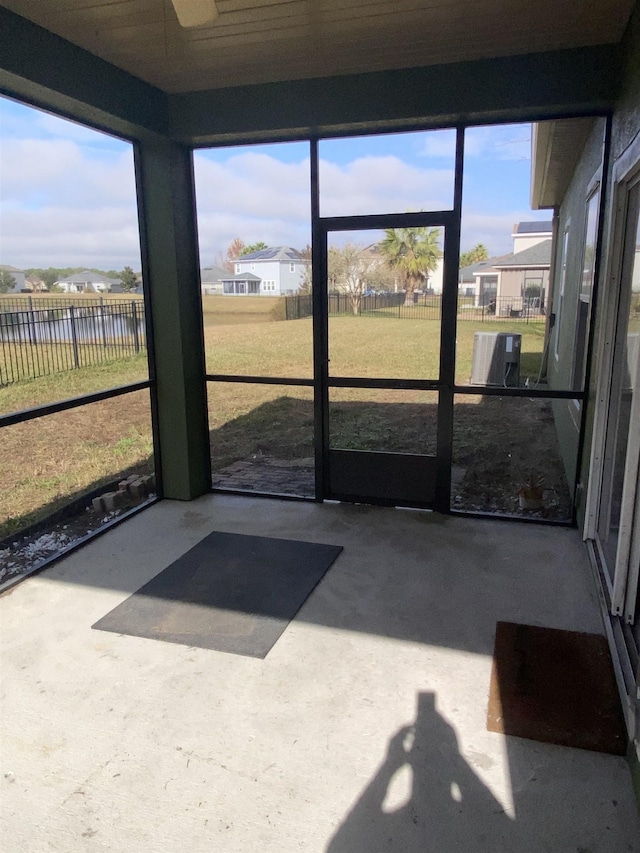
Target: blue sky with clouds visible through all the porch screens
(67, 192)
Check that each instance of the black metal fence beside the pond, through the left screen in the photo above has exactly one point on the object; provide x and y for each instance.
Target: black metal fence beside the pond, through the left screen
(37, 343)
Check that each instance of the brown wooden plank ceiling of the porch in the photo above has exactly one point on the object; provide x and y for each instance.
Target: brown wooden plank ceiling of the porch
(260, 41)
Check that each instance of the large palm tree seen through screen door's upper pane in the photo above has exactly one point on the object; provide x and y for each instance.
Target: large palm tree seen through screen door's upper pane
(413, 252)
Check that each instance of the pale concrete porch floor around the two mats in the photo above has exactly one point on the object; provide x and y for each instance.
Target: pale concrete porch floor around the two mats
(362, 730)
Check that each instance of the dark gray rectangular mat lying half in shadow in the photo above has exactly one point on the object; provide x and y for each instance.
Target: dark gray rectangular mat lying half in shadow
(230, 592)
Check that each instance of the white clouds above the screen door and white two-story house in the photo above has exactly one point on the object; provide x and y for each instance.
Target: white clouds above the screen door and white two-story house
(255, 196)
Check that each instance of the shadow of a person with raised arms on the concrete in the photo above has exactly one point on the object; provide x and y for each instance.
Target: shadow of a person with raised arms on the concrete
(426, 798)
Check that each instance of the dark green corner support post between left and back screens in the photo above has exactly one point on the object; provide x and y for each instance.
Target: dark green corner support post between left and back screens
(164, 174)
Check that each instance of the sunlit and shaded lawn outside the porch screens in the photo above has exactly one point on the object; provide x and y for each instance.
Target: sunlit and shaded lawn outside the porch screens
(49, 461)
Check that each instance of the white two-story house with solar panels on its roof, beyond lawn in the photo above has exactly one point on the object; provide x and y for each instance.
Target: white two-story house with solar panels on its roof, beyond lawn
(279, 270)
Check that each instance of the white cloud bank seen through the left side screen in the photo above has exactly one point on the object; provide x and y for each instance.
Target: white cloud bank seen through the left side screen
(67, 204)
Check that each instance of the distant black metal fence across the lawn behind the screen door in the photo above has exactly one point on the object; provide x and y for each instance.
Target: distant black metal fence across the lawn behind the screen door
(422, 306)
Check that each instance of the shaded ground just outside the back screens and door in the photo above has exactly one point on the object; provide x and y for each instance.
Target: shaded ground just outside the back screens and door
(499, 444)
